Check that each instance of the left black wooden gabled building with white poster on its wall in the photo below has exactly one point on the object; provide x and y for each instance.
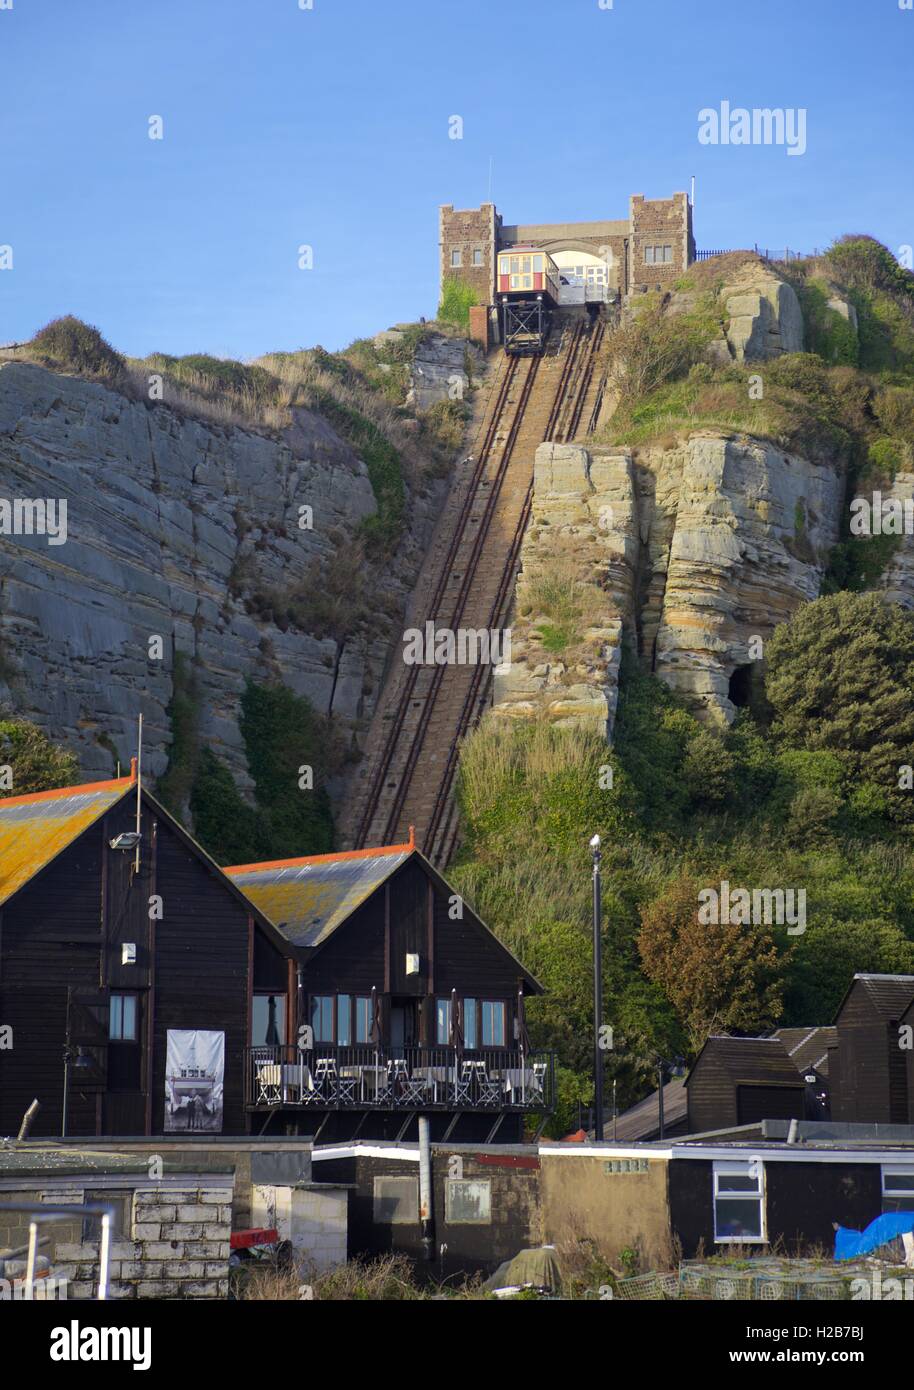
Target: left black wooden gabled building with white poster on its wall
(113, 953)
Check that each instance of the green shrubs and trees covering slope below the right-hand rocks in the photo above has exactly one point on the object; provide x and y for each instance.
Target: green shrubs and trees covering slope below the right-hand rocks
(802, 792)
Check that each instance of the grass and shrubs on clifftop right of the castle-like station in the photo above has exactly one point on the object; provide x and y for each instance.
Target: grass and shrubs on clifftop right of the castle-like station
(848, 402)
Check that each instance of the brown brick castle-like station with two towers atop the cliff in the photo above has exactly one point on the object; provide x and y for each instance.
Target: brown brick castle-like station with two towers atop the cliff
(651, 250)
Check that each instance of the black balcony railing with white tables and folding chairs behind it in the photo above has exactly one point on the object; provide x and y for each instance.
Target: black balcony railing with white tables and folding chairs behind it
(415, 1079)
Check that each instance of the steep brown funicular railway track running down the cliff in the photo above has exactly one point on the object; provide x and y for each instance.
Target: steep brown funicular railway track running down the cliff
(429, 710)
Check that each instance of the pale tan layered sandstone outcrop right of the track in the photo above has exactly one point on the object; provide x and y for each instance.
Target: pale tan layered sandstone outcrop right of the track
(701, 551)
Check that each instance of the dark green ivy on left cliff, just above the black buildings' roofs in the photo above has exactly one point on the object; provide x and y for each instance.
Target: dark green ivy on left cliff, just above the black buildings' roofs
(291, 754)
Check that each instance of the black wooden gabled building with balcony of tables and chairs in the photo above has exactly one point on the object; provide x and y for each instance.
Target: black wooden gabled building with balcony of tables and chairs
(405, 1003)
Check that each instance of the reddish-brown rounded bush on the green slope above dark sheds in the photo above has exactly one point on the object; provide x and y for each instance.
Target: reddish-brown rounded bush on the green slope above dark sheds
(717, 978)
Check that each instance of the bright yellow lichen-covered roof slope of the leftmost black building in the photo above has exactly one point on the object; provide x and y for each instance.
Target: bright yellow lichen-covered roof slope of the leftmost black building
(35, 829)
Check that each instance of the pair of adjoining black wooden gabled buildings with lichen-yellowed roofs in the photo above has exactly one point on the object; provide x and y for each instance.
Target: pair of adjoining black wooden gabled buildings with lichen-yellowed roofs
(145, 990)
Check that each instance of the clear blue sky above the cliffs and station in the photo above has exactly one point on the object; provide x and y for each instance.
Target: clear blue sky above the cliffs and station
(287, 127)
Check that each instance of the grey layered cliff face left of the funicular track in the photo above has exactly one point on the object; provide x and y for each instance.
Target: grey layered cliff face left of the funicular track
(173, 526)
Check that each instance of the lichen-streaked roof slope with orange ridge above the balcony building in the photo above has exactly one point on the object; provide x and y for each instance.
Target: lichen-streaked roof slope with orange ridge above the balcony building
(309, 899)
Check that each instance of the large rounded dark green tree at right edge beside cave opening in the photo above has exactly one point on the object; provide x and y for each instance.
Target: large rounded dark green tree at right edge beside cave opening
(841, 678)
